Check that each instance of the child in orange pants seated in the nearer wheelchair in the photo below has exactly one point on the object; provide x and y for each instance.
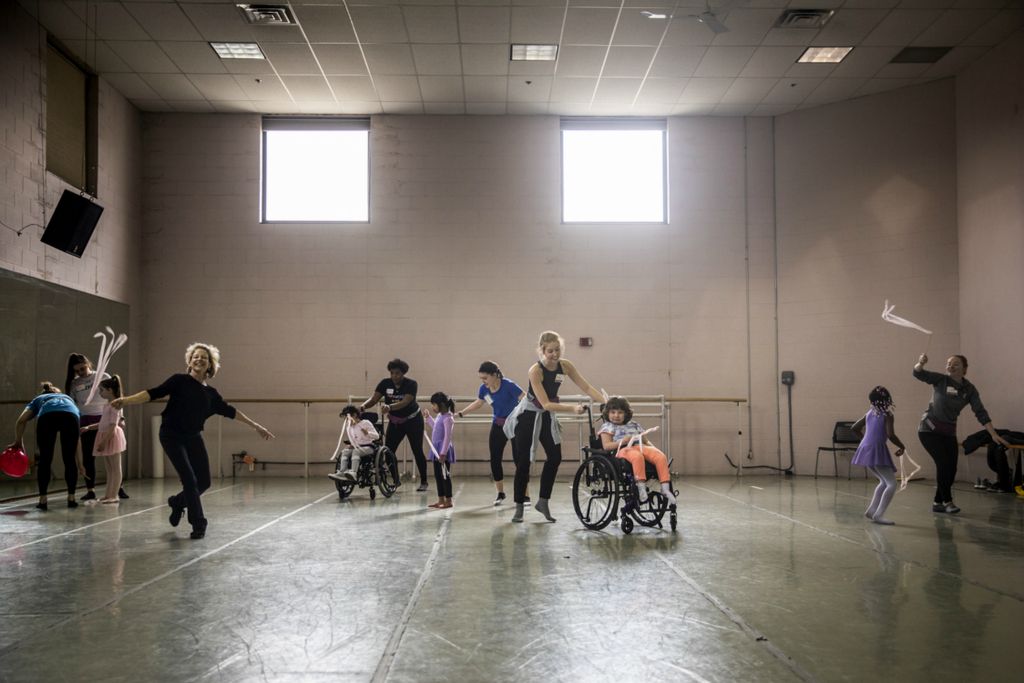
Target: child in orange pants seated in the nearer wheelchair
(618, 433)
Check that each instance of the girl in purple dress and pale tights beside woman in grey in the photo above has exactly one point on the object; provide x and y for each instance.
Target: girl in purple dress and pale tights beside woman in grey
(874, 454)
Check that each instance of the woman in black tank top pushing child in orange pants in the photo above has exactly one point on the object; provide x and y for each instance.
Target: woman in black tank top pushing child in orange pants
(545, 380)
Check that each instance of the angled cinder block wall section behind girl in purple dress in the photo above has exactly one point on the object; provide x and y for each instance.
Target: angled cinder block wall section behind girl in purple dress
(867, 195)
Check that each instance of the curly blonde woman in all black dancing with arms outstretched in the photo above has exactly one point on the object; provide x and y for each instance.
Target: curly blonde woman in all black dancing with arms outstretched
(191, 402)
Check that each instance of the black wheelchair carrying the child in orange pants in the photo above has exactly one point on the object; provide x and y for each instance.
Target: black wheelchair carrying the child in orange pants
(605, 481)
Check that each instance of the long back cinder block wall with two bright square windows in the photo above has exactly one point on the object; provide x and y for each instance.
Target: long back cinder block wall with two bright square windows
(464, 261)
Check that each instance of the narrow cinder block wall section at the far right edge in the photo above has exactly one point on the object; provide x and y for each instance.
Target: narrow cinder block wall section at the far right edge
(991, 214)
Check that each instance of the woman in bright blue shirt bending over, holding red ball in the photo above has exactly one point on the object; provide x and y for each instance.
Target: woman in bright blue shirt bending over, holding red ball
(58, 415)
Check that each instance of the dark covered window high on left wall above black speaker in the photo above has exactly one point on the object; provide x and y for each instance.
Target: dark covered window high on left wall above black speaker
(66, 119)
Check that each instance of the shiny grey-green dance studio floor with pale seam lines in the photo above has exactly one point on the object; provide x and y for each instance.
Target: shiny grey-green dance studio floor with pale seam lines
(767, 579)
